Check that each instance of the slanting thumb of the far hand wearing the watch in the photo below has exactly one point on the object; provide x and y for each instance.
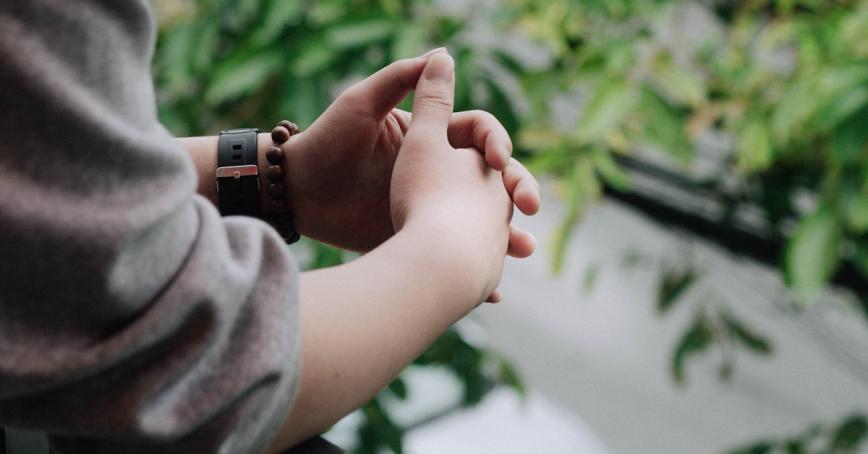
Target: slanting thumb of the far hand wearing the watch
(385, 89)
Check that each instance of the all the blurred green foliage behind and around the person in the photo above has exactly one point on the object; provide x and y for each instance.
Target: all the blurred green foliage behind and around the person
(578, 83)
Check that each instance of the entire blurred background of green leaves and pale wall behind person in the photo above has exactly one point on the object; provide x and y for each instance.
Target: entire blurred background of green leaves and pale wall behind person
(702, 281)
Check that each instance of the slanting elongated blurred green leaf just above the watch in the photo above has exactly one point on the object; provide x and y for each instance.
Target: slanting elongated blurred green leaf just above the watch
(242, 73)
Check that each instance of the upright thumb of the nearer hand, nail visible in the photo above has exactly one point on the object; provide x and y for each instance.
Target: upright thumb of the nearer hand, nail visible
(435, 95)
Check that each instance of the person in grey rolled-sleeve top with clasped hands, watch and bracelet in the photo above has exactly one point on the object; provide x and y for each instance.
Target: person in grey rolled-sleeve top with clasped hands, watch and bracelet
(135, 318)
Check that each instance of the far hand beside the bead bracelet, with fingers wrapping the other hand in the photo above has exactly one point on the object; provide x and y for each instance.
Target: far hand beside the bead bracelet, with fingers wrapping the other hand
(339, 169)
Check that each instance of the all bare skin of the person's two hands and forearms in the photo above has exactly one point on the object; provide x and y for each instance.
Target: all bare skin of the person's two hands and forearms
(433, 214)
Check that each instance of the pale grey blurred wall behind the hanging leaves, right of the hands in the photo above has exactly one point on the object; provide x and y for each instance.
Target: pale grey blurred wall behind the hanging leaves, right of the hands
(604, 356)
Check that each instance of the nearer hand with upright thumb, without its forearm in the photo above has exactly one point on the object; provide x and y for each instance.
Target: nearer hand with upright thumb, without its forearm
(453, 190)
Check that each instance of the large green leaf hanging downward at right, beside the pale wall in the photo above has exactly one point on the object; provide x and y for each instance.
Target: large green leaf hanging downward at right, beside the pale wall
(813, 254)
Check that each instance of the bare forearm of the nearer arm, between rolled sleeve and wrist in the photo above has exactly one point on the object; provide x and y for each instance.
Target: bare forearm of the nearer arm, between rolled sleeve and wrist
(362, 322)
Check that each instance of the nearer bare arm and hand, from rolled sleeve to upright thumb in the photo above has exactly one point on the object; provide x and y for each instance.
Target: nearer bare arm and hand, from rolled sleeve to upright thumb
(452, 215)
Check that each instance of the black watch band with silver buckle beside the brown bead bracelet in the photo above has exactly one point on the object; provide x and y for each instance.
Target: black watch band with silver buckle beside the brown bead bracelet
(238, 173)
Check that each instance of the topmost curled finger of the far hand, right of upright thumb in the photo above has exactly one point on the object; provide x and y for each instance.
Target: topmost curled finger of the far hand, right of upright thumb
(481, 130)
